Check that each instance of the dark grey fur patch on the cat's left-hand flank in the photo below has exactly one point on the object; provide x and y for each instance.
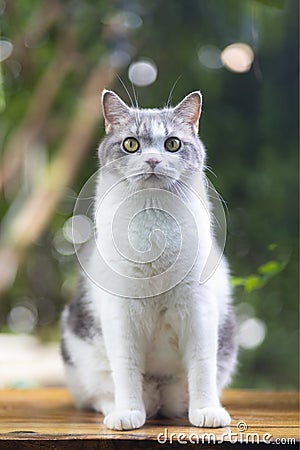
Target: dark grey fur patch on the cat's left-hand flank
(81, 318)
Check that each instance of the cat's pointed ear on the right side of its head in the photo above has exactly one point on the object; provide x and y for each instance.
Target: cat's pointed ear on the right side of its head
(189, 109)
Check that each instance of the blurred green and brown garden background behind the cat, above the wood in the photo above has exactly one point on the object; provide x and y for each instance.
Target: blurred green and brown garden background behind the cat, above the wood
(56, 57)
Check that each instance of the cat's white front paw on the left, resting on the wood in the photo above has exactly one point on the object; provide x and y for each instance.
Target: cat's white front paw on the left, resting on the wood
(127, 419)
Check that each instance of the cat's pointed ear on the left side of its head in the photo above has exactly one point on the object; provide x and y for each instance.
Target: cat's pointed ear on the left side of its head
(114, 110)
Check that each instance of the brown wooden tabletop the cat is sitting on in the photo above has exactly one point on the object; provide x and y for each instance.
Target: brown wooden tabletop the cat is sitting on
(47, 418)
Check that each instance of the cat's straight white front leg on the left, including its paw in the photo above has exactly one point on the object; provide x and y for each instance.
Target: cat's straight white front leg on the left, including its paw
(125, 351)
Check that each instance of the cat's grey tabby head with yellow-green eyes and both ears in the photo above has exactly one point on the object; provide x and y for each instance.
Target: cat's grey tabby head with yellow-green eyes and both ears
(161, 145)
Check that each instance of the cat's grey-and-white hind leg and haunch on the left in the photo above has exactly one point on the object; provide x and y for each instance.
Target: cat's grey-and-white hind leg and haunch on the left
(88, 373)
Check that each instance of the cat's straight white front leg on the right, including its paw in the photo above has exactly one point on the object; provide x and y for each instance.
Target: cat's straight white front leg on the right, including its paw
(199, 349)
